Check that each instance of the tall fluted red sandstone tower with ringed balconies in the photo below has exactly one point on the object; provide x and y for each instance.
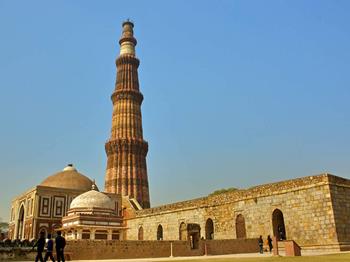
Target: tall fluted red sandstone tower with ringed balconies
(126, 150)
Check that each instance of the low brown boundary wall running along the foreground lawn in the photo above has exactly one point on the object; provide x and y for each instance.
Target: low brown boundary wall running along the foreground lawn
(106, 249)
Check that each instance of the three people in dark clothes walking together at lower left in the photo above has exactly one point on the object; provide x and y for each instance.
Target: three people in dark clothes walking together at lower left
(60, 243)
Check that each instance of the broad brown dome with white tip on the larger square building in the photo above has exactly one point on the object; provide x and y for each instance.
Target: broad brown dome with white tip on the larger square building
(68, 178)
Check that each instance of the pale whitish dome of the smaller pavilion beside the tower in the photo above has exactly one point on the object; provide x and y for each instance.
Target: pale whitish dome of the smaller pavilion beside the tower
(91, 200)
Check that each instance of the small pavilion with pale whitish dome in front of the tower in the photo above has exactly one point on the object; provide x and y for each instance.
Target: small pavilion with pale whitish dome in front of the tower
(94, 215)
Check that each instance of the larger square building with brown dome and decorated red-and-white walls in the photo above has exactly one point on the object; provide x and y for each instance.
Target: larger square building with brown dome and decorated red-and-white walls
(42, 207)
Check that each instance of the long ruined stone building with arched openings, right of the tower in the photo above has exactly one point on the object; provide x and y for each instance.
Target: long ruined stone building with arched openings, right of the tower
(314, 211)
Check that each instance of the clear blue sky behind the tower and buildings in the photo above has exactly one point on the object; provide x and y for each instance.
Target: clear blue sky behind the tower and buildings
(237, 93)
